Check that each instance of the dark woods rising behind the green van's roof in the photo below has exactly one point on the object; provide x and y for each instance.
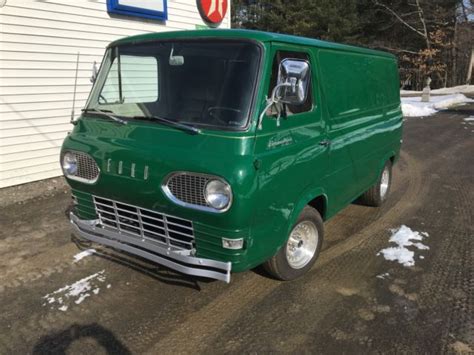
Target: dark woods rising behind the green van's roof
(424, 34)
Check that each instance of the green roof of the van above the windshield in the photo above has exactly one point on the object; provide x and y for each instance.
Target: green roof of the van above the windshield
(260, 36)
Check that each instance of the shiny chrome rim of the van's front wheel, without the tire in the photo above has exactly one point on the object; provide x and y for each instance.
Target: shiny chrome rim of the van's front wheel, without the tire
(302, 244)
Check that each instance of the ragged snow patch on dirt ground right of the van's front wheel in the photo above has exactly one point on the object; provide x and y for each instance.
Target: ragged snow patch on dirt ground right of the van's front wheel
(403, 238)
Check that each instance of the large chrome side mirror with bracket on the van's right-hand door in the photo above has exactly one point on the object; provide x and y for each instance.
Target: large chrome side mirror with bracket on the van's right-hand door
(292, 86)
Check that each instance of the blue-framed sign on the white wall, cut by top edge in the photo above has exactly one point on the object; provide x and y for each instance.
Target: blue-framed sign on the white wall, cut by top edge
(154, 9)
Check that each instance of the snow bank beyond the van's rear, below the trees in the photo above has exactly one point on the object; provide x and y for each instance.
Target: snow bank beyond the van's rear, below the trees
(413, 107)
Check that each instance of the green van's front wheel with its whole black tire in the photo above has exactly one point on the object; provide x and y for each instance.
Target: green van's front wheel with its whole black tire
(302, 248)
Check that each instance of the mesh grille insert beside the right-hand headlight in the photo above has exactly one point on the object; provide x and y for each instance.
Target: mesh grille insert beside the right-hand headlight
(189, 188)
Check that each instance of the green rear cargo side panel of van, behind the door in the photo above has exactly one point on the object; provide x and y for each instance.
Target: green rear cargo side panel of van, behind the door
(364, 118)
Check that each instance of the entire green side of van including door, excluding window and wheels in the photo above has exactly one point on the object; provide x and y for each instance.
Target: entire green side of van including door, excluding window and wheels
(357, 108)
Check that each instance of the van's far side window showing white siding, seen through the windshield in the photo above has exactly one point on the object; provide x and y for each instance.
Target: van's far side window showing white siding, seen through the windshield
(139, 77)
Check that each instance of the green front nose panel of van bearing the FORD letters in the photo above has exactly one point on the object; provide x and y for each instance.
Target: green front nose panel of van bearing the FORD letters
(135, 159)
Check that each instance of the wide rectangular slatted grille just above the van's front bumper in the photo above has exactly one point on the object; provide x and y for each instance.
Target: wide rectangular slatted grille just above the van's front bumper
(166, 230)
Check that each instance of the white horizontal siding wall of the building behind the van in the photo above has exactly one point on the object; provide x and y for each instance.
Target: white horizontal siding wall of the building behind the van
(39, 41)
